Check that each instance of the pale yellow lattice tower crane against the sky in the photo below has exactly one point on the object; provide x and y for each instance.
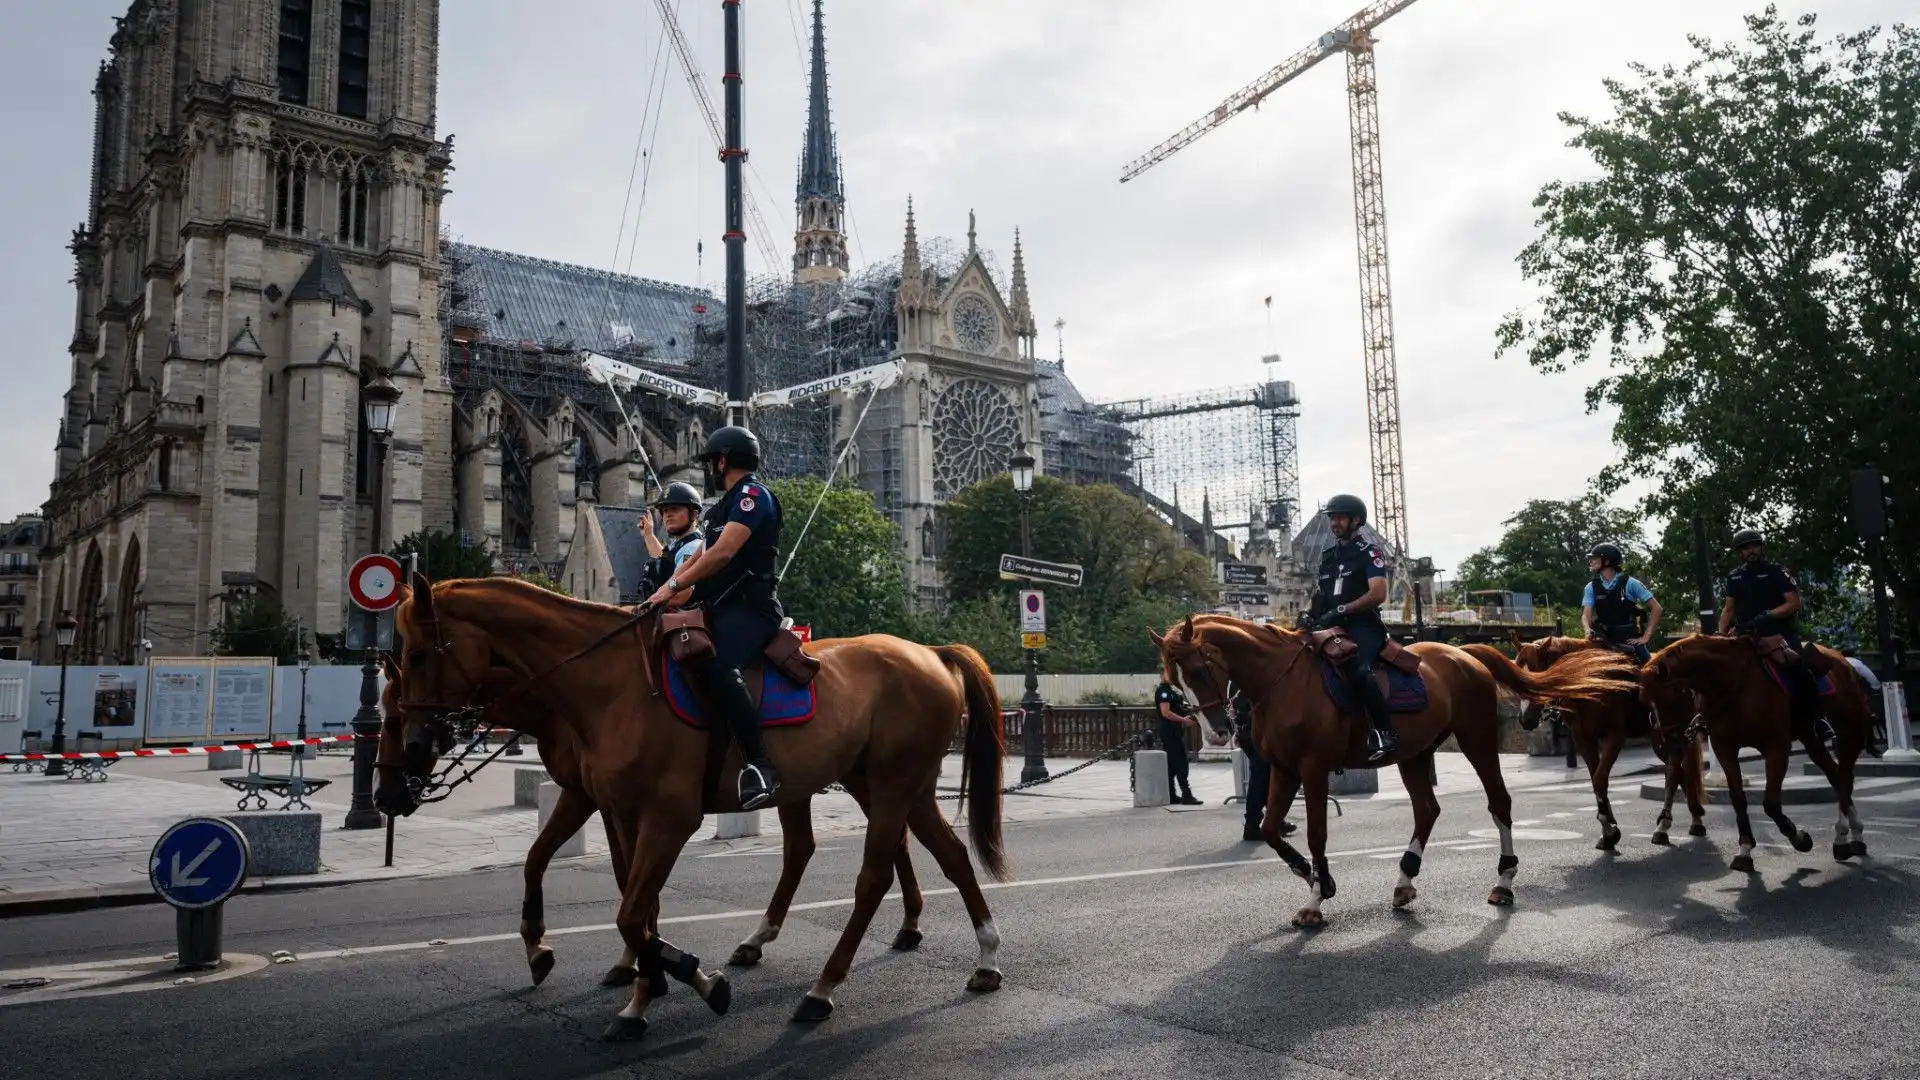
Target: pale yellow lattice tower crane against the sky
(1353, 37)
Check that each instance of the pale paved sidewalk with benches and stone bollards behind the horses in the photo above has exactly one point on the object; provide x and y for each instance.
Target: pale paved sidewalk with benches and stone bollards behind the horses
(74, 845)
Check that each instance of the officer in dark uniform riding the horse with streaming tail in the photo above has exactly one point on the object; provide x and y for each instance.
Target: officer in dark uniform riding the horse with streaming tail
(1353, 587)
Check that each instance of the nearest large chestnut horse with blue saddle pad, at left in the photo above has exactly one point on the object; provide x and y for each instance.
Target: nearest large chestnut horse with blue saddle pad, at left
(886, 708)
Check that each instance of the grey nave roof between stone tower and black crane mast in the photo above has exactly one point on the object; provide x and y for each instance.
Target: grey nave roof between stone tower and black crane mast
(510, 297)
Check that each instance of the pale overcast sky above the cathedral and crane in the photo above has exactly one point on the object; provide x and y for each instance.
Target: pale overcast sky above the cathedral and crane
(1024, 112)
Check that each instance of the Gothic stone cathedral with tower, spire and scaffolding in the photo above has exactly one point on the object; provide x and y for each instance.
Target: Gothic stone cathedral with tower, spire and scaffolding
(264, 241)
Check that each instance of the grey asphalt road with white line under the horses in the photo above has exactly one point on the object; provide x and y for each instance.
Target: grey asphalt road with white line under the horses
(1138, 945)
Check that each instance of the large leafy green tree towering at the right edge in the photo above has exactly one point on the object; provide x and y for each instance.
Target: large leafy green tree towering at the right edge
(1744, 262)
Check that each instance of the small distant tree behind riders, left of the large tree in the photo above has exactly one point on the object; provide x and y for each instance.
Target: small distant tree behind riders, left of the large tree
(1547, 545)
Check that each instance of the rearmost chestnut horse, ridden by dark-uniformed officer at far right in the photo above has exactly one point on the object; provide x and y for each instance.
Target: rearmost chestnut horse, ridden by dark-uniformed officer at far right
(1740, 704)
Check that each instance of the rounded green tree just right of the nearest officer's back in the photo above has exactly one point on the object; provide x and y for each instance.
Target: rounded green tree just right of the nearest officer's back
(850, 576)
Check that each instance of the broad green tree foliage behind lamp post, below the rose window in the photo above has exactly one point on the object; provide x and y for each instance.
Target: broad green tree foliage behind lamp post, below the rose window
(1138, 576)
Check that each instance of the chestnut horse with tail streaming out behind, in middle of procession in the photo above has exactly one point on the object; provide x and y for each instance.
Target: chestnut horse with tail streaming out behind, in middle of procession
(1305, 735)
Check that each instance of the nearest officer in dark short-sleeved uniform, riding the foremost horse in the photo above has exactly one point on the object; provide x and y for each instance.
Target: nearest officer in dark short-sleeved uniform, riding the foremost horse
(734, 577)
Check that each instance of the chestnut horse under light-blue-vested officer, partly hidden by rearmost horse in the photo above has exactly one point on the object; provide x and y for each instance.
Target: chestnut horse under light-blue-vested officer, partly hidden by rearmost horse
(1600, 731)
